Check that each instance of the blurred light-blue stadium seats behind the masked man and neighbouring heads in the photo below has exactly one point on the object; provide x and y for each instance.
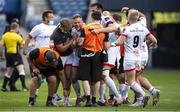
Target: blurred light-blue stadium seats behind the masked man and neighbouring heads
(63, 8)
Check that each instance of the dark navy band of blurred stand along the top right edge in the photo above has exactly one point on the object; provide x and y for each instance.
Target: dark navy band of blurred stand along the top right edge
(143, 5)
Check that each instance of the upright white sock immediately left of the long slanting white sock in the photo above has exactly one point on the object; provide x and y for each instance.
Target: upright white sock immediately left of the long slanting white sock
(102, 92)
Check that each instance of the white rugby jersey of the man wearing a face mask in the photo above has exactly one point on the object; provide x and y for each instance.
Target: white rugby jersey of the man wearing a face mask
(41, 34)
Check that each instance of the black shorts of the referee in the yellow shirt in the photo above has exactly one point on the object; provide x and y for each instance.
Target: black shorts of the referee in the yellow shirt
(13, 60)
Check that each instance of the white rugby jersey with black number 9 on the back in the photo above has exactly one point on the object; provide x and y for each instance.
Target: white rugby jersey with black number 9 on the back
(135, 36)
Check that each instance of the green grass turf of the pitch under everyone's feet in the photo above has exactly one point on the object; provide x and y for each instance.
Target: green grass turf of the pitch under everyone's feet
(167, 81)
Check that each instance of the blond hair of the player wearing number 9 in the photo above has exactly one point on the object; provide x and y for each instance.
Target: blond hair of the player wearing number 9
(133, 15)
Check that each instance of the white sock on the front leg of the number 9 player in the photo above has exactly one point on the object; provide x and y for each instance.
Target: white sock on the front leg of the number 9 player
(137, 88)
